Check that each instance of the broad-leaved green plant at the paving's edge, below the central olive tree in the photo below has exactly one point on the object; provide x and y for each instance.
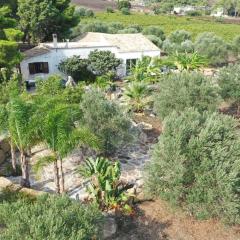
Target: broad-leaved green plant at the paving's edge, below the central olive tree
(105, 185)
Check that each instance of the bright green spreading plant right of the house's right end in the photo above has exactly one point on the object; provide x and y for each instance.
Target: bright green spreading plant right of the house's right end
(185, 61)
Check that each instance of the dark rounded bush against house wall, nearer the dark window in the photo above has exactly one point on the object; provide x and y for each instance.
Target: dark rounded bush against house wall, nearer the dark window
(77, 68)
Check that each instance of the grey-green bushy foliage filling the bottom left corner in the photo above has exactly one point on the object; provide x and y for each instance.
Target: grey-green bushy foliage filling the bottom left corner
(50, 218)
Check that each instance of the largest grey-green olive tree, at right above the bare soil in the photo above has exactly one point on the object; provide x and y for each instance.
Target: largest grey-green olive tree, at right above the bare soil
(196, 165)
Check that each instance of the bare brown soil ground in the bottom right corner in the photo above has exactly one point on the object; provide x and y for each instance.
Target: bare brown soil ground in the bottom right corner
(155, 220)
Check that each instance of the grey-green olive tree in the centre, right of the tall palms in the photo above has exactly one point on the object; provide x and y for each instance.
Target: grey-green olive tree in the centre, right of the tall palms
(106, 120)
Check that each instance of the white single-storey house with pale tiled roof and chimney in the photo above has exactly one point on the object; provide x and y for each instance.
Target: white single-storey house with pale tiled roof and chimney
(44, 59)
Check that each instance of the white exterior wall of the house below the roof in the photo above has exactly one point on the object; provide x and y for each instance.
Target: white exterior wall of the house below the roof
(55, 56)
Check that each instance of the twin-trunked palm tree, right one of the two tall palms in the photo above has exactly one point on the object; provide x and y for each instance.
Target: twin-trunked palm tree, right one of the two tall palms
(58, 130)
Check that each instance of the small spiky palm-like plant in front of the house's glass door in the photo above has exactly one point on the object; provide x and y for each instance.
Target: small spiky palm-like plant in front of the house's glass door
(137, 95)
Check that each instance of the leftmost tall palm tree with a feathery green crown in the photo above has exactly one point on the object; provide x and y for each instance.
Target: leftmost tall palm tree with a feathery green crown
(22, 131)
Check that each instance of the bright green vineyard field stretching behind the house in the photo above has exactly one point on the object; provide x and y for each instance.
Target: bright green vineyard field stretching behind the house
(172, 23)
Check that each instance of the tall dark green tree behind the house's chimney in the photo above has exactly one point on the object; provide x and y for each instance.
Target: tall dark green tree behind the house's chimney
(41, 18)
